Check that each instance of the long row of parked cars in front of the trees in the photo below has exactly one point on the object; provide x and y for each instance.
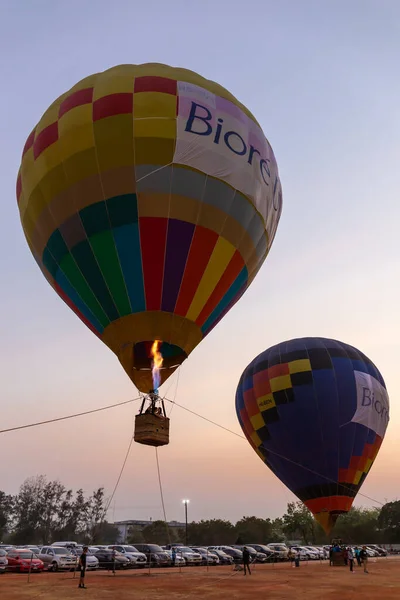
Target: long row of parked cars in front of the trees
(64, 555)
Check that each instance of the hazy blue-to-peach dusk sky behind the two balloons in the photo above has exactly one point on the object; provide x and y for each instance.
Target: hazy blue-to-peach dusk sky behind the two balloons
(322, 79)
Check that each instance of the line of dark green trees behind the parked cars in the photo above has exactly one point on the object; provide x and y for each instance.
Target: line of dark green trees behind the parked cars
(45, 511)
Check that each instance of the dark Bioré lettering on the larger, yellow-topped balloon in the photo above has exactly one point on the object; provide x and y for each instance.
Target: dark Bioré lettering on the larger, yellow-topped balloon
(199, 123)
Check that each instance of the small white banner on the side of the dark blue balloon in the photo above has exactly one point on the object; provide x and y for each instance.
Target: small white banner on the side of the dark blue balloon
(372, 403)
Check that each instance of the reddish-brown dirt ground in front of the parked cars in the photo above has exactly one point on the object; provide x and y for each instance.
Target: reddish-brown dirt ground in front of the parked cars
(314, 581)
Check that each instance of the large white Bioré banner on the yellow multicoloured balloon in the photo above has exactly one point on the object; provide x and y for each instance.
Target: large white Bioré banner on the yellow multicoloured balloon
(217, 138)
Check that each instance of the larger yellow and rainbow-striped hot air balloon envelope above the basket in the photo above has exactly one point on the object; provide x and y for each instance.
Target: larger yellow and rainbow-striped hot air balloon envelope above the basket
(149, 198)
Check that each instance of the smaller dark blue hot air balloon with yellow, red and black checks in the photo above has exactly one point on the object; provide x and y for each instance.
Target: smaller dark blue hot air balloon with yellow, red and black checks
(315, 411)
